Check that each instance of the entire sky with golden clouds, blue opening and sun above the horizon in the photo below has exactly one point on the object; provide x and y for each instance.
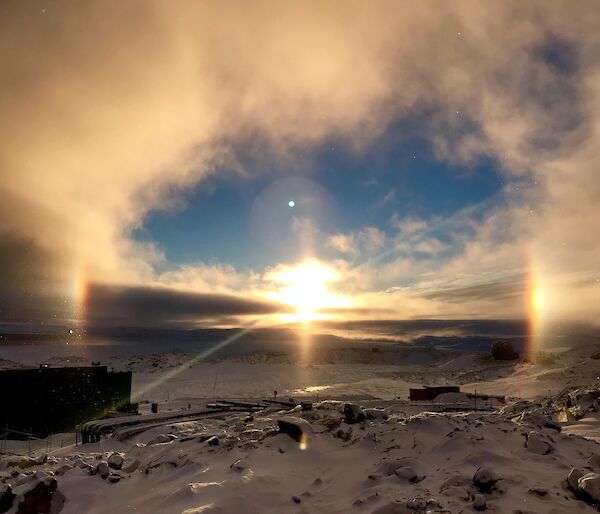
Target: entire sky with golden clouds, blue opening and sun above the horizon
(440, 157)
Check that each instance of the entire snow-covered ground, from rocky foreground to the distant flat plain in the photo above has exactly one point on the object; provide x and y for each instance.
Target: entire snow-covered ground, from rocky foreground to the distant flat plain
(417, 460)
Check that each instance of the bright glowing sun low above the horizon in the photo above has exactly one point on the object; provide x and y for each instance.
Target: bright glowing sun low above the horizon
(305, 288)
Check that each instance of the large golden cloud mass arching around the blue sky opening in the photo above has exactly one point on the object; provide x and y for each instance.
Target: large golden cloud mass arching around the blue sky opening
(110, 110)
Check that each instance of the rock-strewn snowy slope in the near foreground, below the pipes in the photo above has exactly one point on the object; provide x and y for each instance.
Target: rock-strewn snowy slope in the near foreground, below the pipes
(428, 462)
